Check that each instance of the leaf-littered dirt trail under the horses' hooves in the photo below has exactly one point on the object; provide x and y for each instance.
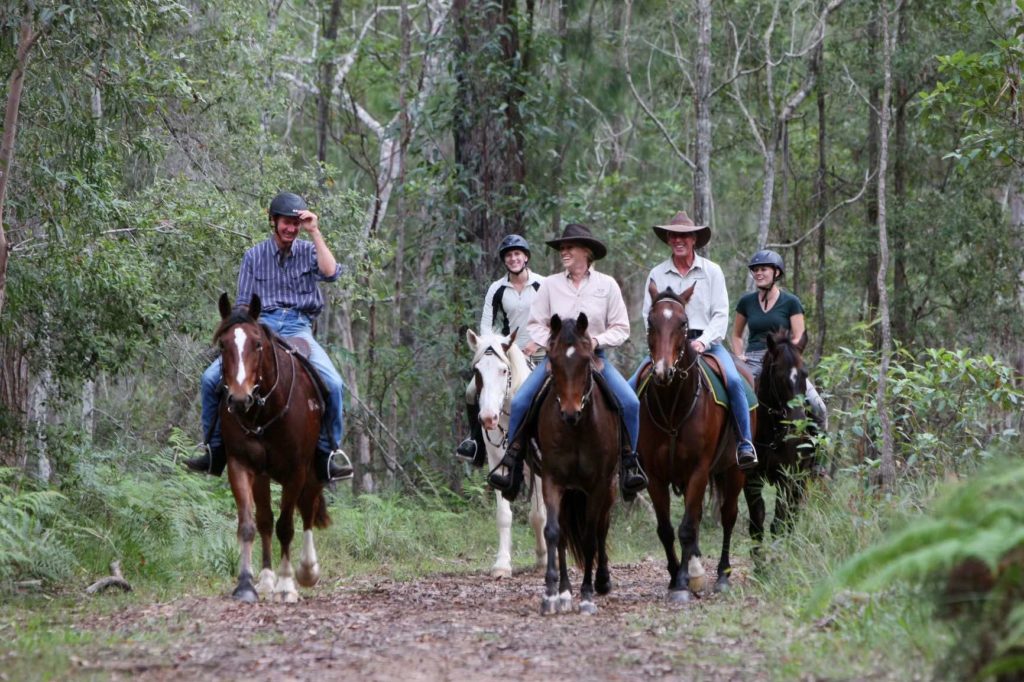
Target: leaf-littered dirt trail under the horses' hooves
(439, 628)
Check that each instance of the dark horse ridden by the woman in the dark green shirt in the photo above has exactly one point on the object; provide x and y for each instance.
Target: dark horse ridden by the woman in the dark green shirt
(786, 455)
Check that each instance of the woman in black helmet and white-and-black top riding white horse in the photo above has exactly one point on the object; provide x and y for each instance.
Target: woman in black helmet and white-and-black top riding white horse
(506, 308)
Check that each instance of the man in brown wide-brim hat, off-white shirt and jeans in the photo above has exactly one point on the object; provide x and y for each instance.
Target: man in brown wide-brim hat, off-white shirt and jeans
(708, 312)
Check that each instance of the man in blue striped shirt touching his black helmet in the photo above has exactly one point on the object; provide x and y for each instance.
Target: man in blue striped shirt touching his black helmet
(285, 272)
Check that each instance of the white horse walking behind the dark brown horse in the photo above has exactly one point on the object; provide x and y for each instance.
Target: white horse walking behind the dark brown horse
(499, 369)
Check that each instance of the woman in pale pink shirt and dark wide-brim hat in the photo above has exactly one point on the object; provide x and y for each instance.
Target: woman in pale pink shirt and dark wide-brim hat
(579, 289)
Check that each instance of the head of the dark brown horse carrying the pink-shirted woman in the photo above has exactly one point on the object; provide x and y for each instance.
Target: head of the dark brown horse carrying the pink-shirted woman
(571, 356)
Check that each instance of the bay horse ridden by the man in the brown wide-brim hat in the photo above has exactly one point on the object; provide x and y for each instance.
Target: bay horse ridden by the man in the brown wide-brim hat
(687, 442)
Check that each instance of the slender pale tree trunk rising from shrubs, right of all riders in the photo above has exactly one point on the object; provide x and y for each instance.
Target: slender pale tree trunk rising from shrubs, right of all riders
(888, 470)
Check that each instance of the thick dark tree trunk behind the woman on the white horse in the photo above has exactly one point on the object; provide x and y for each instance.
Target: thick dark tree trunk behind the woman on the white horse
(488, 130)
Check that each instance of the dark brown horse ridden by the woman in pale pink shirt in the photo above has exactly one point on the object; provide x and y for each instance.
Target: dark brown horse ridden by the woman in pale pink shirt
(578, 434)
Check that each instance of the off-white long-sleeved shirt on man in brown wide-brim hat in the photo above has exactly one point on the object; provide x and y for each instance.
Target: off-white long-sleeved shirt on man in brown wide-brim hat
(708, 309)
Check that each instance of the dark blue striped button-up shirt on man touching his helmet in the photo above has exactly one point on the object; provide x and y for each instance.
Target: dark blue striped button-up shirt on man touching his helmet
(284, 280)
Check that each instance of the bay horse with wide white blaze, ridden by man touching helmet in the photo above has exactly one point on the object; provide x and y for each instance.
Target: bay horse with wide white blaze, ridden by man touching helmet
(271, 419)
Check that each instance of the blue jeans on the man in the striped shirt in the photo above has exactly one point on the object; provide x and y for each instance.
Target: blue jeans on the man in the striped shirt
(286, 322)
